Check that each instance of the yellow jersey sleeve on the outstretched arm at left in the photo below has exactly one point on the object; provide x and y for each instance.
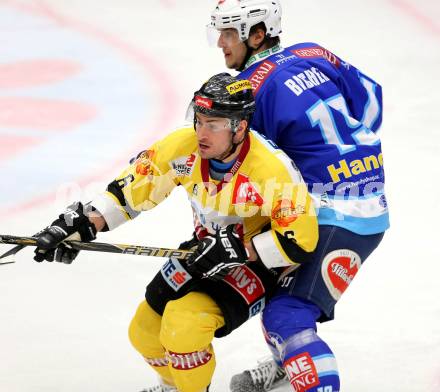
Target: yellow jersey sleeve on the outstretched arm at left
(145, 183)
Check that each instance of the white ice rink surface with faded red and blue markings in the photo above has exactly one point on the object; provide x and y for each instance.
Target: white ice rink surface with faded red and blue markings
(85, 85)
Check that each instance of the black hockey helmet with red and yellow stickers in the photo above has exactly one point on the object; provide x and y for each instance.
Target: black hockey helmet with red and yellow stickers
(225, 96)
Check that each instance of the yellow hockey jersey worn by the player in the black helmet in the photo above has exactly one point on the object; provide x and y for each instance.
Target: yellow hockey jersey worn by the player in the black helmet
(263, 194)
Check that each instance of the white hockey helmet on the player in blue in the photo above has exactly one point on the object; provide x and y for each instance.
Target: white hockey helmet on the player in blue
(243, 14)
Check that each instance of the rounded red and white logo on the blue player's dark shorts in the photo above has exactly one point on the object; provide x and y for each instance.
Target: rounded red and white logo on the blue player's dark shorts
(339, 269)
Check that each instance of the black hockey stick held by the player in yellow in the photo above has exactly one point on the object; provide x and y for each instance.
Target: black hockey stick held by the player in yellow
(95, 247)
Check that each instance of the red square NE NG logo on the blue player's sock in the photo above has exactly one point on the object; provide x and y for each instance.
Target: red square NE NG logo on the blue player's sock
(301, 372)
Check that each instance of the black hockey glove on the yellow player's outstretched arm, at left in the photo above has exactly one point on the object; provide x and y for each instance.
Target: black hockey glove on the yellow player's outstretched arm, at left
(73, 224)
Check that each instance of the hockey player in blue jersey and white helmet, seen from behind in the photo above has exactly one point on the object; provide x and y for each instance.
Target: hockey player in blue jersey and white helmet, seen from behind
(325, 114)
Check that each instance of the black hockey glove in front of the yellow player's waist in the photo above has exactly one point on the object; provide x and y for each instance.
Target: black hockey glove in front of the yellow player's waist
(217, 254)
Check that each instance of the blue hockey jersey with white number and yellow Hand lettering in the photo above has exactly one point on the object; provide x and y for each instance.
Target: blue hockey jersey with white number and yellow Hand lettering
(325, 114)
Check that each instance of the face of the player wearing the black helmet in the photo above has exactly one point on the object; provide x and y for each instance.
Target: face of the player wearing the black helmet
(213, 135)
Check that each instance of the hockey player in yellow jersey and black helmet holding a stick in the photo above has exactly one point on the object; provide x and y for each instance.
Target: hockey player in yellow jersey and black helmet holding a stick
(253, 220)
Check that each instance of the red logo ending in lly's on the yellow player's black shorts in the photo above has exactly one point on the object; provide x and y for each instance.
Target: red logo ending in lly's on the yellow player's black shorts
(246, 282)
